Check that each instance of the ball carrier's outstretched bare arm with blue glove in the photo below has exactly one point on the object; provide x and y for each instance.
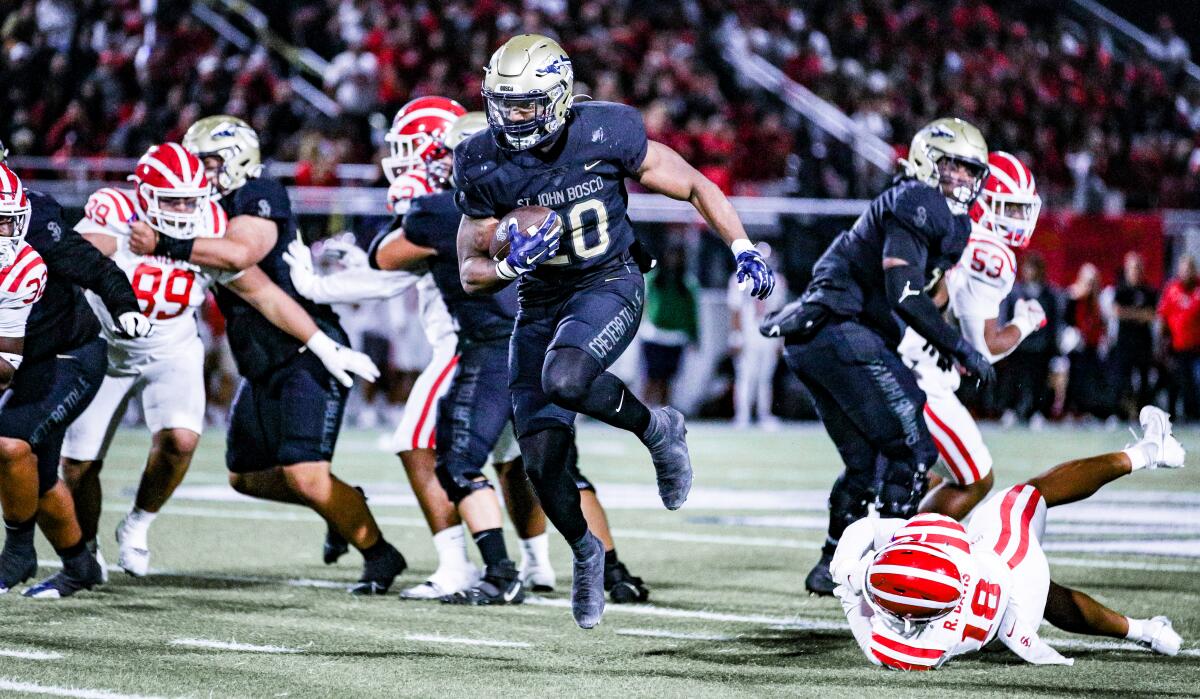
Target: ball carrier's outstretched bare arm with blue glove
(667, 172)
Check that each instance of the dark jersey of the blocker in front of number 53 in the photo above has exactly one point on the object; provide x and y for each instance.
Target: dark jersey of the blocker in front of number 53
(911, 222)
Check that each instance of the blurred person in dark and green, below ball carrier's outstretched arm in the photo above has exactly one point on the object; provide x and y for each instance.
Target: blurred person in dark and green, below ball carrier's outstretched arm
(671, 324)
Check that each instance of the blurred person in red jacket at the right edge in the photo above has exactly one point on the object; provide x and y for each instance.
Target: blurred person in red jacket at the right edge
(1180, 310)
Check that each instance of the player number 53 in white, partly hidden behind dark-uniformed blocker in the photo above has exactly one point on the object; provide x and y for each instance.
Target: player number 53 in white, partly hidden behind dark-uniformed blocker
(1003, 219)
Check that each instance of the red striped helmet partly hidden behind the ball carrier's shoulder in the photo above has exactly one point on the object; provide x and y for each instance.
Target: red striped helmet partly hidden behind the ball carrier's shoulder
(416, 139)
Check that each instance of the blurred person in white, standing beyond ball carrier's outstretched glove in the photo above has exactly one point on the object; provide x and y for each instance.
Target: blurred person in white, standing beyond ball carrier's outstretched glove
(757, 357)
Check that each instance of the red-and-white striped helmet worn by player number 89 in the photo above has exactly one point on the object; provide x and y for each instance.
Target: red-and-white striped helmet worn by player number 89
(172, 192)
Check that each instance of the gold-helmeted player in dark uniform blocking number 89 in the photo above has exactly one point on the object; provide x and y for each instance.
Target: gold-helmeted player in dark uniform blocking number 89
(289, 409)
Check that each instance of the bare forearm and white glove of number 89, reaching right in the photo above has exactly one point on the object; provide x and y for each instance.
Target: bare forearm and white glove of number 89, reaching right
(287, 315)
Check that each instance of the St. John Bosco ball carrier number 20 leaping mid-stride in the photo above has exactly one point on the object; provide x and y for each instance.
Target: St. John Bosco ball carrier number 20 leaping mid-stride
(581, 290)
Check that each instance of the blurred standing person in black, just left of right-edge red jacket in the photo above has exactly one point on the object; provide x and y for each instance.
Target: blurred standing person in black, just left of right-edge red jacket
(1135, 307)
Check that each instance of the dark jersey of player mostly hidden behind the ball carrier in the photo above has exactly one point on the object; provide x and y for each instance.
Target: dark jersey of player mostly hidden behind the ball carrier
(433, 222)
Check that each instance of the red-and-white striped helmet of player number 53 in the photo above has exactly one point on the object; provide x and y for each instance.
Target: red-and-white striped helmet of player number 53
(1010, 204)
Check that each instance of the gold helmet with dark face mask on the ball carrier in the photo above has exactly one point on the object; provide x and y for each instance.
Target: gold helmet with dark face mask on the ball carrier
(529, 87)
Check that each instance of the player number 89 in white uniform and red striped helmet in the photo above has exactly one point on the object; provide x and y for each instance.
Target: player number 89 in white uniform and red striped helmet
(166, 371)
